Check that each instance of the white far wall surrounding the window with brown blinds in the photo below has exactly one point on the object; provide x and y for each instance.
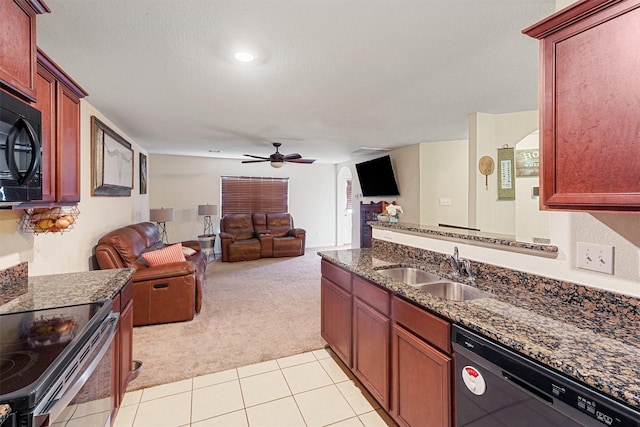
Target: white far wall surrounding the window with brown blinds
(183, 183)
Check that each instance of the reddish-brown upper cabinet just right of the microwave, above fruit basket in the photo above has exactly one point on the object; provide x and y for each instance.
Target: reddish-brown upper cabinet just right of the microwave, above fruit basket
(58, 99)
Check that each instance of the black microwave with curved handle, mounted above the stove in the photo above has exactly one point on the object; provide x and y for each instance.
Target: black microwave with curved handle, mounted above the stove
(20, 152)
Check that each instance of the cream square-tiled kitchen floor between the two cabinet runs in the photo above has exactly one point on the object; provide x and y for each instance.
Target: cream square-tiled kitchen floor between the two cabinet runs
(308, 389)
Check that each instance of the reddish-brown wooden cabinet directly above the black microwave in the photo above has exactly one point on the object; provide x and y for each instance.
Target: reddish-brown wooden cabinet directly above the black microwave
(18, 45)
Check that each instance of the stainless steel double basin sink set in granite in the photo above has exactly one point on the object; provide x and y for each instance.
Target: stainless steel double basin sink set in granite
(434, 284)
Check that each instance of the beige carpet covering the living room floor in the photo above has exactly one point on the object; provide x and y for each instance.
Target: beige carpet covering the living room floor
(252, 312)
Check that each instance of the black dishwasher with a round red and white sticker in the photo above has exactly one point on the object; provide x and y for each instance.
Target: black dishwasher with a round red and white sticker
(496, 387)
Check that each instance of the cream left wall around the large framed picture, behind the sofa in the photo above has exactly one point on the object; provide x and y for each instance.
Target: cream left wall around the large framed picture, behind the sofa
(70, 251)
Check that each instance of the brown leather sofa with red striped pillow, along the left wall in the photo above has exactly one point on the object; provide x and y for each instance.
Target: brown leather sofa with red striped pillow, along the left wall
(162, 293)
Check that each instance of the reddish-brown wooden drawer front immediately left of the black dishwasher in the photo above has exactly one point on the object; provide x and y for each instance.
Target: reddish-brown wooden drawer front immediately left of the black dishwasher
(426, 325)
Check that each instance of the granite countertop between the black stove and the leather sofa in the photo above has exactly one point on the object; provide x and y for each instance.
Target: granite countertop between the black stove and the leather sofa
(58, 290)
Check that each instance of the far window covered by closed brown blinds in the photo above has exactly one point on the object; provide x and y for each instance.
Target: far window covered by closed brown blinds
(242, 194)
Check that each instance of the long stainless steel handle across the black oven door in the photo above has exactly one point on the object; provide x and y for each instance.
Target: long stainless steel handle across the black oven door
(65, 389)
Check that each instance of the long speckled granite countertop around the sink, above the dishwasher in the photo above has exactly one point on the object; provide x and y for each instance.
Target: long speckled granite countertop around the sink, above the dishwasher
(598, 349)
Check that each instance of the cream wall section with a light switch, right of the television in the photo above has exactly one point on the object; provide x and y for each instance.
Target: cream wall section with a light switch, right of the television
(444, 174)
